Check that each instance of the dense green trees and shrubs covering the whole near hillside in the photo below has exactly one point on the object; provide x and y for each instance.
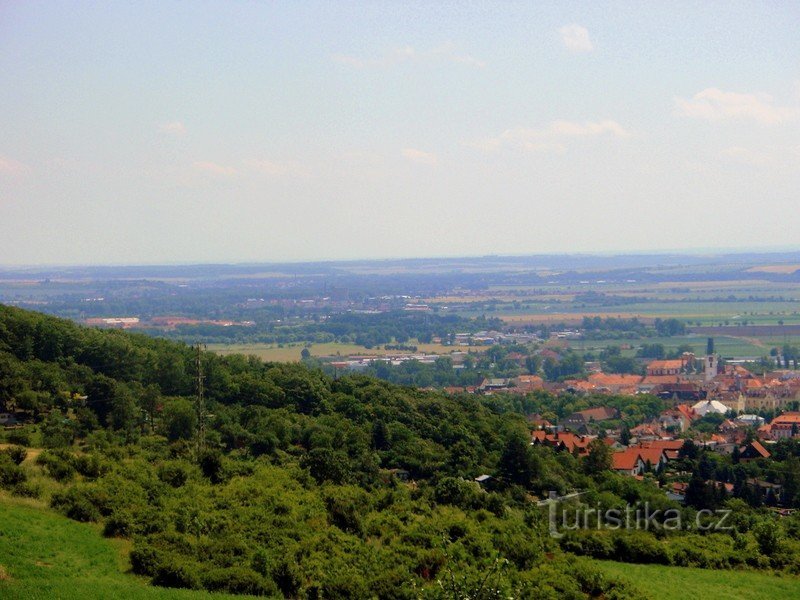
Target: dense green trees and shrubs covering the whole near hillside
(288, 482)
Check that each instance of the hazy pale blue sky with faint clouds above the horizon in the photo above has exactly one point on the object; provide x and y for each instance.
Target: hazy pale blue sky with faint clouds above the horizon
(185, 132)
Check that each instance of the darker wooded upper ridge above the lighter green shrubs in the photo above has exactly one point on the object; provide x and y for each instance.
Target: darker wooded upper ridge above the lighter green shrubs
(134, 385)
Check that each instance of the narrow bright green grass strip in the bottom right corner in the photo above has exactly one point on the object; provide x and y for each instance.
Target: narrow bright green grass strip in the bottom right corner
(680, 583)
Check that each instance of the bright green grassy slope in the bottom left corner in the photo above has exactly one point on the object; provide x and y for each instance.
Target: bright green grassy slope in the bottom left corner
(44, 555)
